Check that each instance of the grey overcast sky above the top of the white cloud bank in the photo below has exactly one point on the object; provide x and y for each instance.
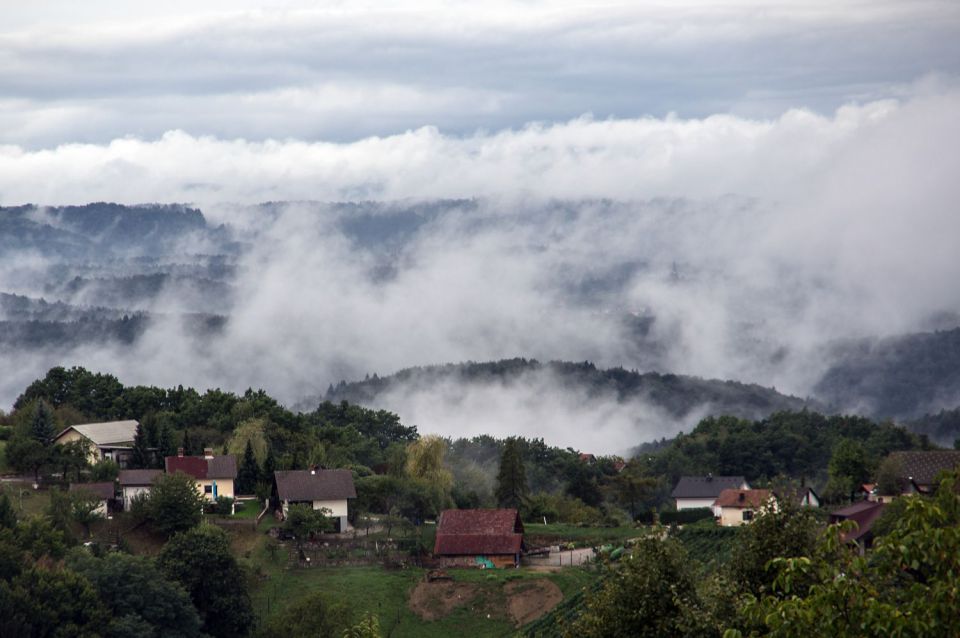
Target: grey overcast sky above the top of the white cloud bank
(93, 72)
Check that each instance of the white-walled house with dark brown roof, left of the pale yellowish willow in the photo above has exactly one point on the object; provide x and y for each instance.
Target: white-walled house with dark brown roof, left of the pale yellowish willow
(321, 489)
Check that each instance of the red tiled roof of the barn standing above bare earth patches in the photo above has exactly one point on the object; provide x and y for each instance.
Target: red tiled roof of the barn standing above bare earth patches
(478, 532)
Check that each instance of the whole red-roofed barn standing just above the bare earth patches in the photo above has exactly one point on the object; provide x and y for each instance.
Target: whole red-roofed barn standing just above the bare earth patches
(479, 537)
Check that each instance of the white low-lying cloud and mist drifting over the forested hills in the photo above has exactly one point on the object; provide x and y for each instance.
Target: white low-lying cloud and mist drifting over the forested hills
(752, 242)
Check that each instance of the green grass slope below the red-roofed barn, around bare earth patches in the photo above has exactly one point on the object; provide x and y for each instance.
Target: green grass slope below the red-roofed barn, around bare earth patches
(386, 593)
